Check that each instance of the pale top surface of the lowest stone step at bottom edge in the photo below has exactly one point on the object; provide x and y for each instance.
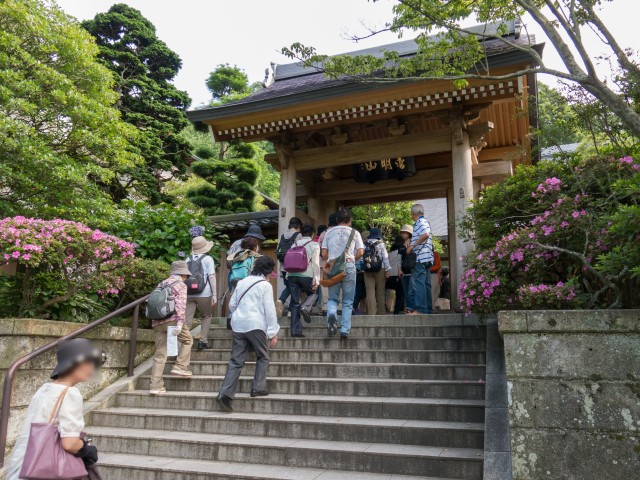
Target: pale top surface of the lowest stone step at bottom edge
(239, 470)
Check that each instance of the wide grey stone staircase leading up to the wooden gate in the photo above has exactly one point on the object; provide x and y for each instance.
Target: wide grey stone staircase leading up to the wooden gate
(402, 399)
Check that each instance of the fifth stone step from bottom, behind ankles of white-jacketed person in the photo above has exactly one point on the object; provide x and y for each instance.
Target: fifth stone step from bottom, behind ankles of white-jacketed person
(460, 389)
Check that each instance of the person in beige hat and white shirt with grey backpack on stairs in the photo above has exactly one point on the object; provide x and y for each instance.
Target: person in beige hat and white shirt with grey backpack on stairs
(201, 286)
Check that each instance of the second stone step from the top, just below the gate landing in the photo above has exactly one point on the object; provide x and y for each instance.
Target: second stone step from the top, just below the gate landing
(315, 330)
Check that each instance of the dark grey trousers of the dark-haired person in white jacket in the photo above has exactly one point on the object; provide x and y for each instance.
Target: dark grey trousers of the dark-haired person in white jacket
(239, 351)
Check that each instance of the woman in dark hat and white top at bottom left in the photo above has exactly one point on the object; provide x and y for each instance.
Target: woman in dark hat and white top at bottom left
(77, 362)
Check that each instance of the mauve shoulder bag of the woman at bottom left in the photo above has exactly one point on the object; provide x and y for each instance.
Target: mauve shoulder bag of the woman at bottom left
(45, 458)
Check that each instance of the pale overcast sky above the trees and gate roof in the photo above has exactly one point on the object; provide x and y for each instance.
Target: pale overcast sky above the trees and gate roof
(250, 33)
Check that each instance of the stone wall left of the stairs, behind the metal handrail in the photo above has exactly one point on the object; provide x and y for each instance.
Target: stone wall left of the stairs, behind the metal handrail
(20, 336)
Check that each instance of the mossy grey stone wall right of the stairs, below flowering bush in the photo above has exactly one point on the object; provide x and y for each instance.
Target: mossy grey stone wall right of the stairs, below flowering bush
(574, 393)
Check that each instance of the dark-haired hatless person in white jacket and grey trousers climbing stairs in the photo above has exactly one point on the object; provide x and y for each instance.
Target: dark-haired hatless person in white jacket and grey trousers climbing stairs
(255, 324)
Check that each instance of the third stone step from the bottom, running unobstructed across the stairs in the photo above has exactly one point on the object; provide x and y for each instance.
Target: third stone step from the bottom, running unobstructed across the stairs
(335, 429)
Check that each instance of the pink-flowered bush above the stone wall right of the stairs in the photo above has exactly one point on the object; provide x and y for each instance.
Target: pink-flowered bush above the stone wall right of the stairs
(555, 259)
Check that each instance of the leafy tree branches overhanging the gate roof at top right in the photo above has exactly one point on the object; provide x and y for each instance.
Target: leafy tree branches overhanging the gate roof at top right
(457, 53)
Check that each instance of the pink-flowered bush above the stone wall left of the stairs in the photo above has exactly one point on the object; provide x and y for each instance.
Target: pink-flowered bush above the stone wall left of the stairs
(84, 259)
